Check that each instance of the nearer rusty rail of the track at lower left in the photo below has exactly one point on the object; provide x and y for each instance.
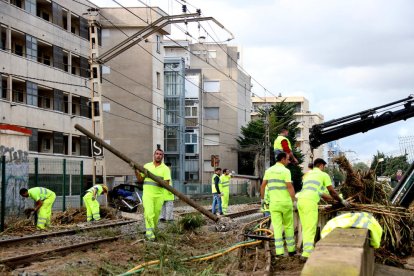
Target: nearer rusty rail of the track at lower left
(25, 259)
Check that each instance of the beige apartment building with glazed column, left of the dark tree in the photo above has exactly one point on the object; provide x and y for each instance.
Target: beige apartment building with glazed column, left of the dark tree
(217, 104)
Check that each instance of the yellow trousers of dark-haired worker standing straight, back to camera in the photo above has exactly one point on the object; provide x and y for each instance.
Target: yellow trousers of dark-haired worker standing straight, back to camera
(282, 218)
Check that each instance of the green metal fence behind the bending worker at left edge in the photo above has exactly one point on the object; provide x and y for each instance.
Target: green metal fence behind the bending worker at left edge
(64, 177)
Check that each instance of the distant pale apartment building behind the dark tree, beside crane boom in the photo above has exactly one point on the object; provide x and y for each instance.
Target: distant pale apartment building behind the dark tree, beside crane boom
(303, 116)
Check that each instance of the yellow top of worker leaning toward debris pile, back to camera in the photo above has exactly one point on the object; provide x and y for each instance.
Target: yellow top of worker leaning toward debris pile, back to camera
(314, 185)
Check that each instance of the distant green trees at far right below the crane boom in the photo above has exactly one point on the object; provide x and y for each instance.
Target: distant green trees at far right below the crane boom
(390, 165)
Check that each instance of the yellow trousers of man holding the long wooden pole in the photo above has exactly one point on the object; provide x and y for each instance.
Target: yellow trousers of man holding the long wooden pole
(152, 204)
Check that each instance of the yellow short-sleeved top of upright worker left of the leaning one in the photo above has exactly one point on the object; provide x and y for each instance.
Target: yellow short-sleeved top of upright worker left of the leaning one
(276, 177)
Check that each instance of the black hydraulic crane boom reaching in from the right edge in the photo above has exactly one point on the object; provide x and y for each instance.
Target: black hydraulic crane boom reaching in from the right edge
(361, 122)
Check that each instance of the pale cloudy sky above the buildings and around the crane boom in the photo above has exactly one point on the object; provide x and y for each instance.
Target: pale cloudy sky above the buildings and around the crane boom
(344, 56)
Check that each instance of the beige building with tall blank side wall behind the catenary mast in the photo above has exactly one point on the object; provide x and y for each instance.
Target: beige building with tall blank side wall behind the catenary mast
(132, 89)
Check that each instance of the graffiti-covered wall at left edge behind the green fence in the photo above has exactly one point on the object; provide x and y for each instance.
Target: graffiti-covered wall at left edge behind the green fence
(17, 177)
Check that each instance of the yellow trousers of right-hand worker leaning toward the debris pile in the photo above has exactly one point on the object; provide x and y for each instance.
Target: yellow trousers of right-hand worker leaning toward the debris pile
(308, 214)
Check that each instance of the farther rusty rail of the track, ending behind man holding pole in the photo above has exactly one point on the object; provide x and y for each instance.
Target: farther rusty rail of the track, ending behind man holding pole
(28, 238)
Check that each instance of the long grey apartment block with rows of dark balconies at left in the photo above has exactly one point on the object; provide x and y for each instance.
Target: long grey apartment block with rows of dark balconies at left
(44, 69)
